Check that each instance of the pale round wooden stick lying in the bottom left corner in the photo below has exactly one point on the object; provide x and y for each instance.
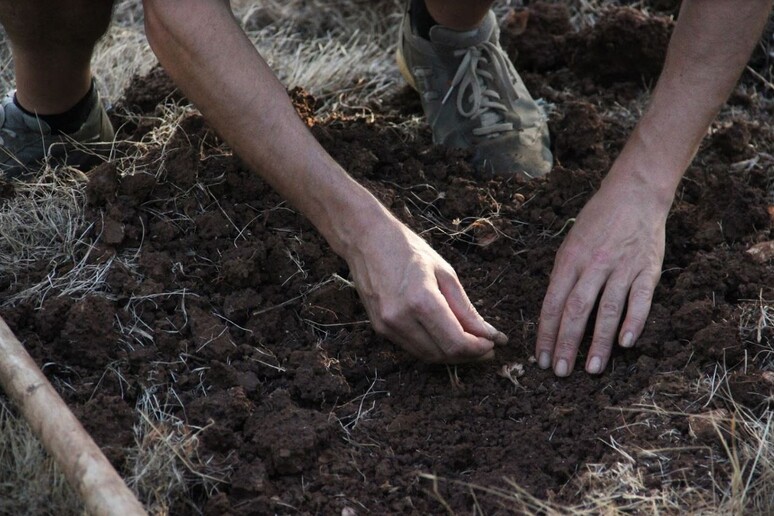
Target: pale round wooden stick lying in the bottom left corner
(85, 467)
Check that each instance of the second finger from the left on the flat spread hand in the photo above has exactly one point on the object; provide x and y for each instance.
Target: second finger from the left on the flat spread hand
(576, 313)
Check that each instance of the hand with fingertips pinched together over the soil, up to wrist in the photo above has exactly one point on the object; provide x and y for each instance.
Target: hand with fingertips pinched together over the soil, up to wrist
(414, 298)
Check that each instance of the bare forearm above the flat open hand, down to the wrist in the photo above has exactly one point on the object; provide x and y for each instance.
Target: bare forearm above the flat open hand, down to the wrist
(710, 46)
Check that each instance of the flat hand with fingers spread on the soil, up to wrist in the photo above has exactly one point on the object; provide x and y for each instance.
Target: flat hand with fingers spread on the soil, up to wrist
(612, 254)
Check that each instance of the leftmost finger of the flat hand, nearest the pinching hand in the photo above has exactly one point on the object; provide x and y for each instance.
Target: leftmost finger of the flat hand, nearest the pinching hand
(562, 282)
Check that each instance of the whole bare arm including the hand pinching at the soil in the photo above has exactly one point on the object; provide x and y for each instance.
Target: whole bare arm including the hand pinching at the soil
(412, 295)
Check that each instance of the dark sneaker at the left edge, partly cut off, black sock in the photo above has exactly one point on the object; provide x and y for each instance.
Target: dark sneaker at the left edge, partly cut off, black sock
(26, 141)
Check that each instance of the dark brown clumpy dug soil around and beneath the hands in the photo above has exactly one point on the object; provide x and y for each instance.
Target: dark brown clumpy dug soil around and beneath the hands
(315, 413)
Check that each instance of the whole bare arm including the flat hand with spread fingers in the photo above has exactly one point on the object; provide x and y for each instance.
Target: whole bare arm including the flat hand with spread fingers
(615, 250)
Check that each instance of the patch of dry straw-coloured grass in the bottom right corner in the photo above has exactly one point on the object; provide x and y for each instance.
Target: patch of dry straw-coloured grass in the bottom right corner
(619, 488)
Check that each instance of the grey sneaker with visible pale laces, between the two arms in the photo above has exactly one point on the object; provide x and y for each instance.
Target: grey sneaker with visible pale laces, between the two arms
(474, 99)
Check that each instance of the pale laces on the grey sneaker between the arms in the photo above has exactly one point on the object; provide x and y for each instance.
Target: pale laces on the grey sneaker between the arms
(472, 80)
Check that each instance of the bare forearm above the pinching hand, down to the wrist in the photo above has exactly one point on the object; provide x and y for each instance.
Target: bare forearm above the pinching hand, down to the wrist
(217, 67)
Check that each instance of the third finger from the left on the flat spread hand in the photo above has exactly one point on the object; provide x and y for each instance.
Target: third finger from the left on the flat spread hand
(608, 316)
